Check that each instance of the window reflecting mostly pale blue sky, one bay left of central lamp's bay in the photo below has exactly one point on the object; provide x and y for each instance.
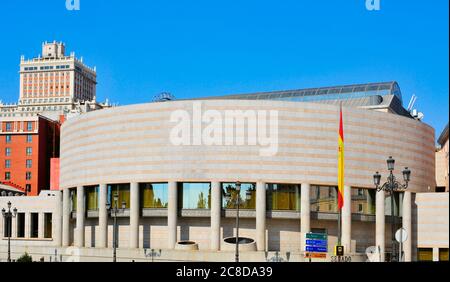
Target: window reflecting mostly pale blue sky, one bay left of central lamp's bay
(195, 195)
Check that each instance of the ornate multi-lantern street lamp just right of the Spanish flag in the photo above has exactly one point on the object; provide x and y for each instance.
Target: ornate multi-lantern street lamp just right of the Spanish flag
(391, 186)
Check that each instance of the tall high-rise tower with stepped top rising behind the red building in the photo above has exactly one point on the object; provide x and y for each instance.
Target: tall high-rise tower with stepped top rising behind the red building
(54, 84)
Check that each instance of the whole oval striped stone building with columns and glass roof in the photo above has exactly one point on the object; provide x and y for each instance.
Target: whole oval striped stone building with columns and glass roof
(172, 165)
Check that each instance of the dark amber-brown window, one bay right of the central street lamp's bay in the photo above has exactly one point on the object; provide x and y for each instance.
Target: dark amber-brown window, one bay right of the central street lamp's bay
(283, 197)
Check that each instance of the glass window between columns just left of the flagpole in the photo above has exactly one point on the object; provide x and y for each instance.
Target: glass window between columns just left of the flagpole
(323, 198)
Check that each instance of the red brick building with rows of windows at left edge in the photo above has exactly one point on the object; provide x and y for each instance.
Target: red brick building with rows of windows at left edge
(26, 146)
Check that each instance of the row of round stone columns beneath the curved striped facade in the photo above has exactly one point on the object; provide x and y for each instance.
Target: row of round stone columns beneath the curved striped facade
(216, 209)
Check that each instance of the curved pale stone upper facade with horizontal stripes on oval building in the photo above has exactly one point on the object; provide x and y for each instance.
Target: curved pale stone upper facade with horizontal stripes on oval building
(132, 144)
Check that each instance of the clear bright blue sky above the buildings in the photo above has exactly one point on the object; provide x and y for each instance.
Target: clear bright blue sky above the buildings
(215, 47)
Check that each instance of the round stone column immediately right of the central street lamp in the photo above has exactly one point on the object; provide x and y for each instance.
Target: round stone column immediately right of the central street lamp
(261, 216)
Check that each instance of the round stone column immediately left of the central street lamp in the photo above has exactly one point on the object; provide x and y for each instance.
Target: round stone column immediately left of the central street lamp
(216, 213)
